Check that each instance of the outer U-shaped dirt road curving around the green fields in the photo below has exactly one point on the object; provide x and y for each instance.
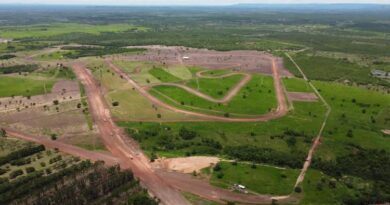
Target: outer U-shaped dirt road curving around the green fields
(281, 110)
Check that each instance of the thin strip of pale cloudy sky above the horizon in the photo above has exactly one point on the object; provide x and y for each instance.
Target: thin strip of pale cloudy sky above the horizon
(181, 2)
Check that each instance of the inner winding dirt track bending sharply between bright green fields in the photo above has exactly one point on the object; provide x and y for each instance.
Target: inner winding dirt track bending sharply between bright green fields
(227, 98)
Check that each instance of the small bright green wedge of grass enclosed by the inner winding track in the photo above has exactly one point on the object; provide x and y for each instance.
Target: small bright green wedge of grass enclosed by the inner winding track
(216, 88)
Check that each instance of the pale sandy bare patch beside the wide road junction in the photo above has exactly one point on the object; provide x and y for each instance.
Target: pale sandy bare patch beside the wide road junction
(185, 164)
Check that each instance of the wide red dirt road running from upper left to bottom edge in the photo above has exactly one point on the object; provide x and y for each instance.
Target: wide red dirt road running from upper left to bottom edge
(115, 141)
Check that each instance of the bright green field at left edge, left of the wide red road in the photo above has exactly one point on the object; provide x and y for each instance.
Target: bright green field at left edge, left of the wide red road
(15, 86)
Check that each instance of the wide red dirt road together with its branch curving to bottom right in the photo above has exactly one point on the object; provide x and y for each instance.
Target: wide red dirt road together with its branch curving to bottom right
(160, 183)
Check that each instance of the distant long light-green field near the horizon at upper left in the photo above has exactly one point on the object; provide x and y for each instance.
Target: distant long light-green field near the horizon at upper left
(45, 30)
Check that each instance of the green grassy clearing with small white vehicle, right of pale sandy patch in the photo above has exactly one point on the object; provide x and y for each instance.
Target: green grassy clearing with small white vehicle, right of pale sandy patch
(258, 178)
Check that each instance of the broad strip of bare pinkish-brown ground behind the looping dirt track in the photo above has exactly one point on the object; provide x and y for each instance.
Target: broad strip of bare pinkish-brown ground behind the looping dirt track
(248, 61)
